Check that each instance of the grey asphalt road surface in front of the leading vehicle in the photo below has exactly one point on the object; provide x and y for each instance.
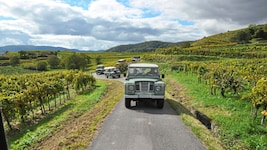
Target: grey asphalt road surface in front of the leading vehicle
(144, 127)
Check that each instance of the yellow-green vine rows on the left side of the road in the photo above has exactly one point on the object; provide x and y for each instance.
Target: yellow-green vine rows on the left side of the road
(21, 96)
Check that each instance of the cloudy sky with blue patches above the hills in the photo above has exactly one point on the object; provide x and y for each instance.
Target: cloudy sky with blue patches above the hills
(102, 24)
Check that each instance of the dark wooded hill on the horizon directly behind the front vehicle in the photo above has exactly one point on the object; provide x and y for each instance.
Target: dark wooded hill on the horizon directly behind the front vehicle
(149, 46)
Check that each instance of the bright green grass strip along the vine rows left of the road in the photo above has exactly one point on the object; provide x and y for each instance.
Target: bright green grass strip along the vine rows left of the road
(53, 122)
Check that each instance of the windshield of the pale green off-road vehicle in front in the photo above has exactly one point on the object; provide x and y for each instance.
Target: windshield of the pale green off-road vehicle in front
(143, 71)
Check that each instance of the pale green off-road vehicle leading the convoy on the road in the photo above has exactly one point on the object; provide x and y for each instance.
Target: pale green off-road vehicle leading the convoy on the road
(143, 83)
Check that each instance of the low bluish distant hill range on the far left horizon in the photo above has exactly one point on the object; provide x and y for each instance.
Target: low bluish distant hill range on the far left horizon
(15, 48)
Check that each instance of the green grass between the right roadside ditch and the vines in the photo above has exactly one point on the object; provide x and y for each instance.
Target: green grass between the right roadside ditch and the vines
(233, 116)
